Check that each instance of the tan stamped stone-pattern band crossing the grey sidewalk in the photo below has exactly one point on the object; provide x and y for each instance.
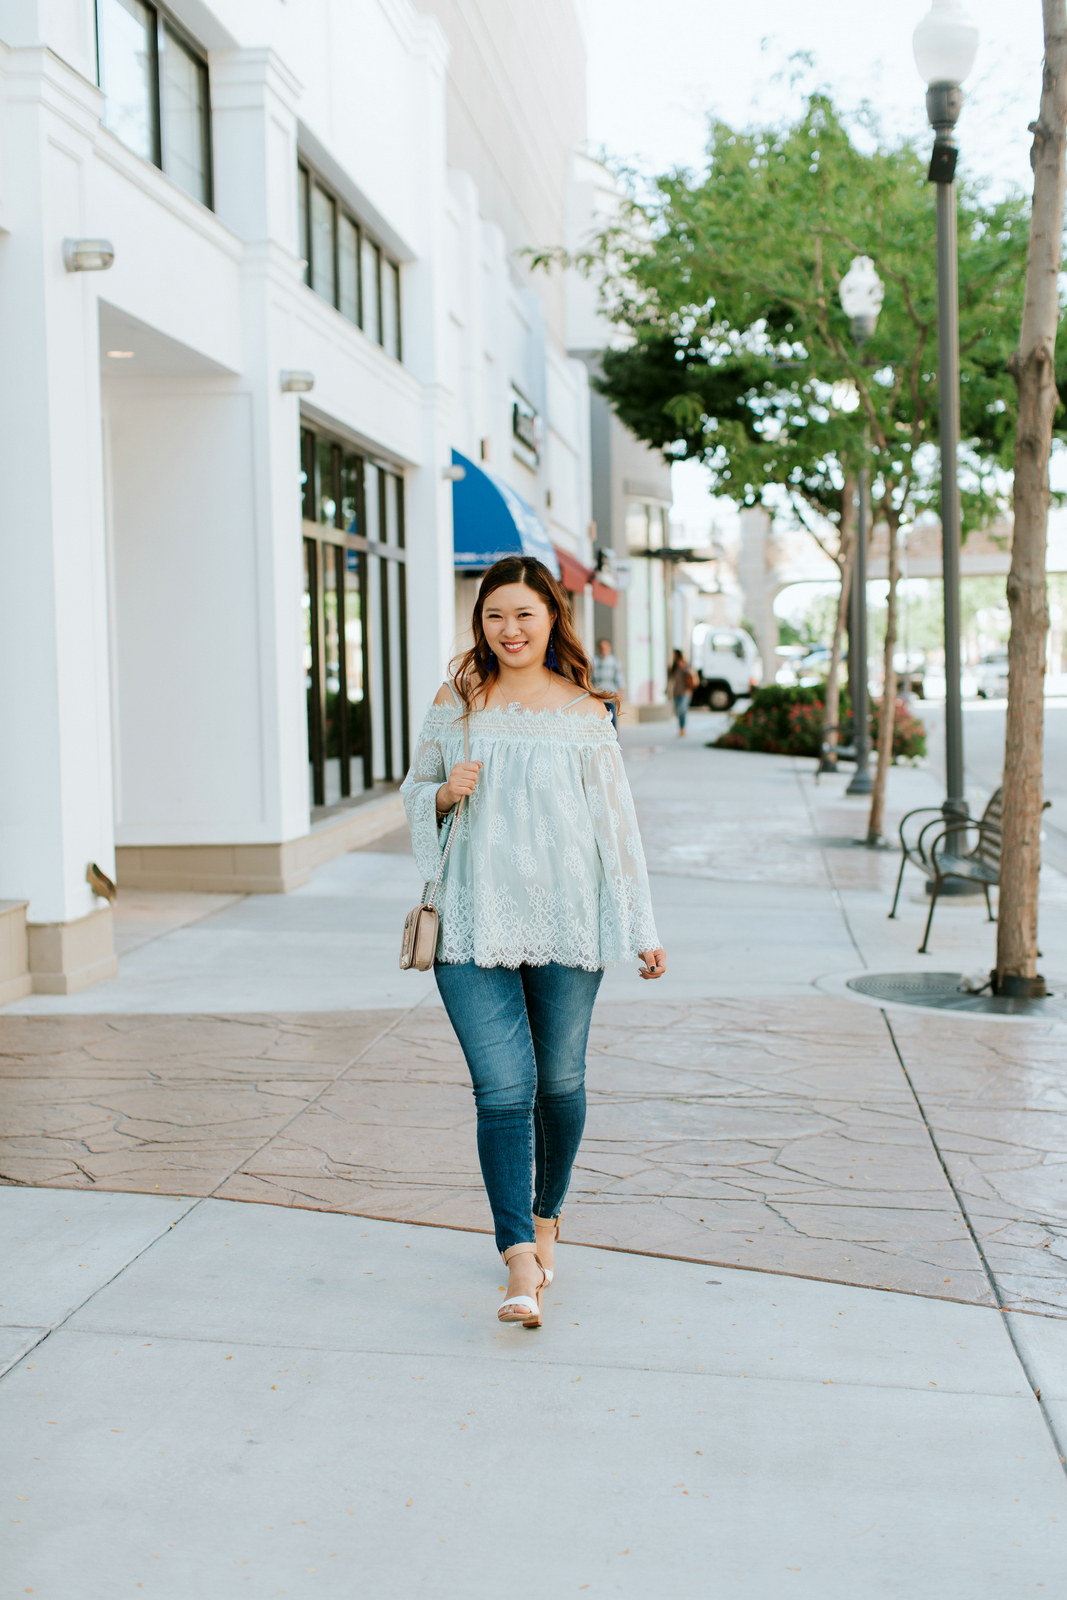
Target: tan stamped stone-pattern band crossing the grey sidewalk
(778, 1134)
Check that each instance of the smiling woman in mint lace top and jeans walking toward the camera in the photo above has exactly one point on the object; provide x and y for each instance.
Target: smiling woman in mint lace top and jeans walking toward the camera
(545, 887)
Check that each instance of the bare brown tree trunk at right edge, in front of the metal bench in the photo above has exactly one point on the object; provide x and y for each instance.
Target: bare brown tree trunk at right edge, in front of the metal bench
(1033, 369)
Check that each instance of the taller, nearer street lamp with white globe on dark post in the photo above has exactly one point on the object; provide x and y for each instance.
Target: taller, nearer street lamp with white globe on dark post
(946, 42)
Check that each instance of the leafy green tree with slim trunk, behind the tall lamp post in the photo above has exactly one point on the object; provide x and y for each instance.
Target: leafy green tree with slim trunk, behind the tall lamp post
(741, 356)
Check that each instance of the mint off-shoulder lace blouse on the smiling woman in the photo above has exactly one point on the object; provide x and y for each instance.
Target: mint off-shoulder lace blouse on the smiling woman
(548, 863)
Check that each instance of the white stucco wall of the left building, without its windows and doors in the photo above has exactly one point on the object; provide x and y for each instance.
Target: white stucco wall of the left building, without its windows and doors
(151, 679)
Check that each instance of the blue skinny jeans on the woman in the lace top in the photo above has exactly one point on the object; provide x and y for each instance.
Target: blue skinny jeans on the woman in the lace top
(524, 1033)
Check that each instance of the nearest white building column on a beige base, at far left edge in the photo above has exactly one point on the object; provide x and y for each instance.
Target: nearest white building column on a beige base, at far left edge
(55, 698)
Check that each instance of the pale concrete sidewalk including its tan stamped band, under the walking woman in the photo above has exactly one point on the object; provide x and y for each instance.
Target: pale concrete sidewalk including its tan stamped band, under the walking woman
(817, 1286)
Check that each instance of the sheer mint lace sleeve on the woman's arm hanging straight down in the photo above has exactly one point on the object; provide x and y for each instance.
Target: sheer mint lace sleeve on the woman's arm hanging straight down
(626, 905)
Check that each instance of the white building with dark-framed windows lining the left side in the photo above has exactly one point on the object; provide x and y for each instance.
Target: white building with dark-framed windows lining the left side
(226, 529)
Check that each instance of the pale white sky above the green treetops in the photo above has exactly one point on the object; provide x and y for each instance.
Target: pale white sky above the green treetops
(658, 68)
